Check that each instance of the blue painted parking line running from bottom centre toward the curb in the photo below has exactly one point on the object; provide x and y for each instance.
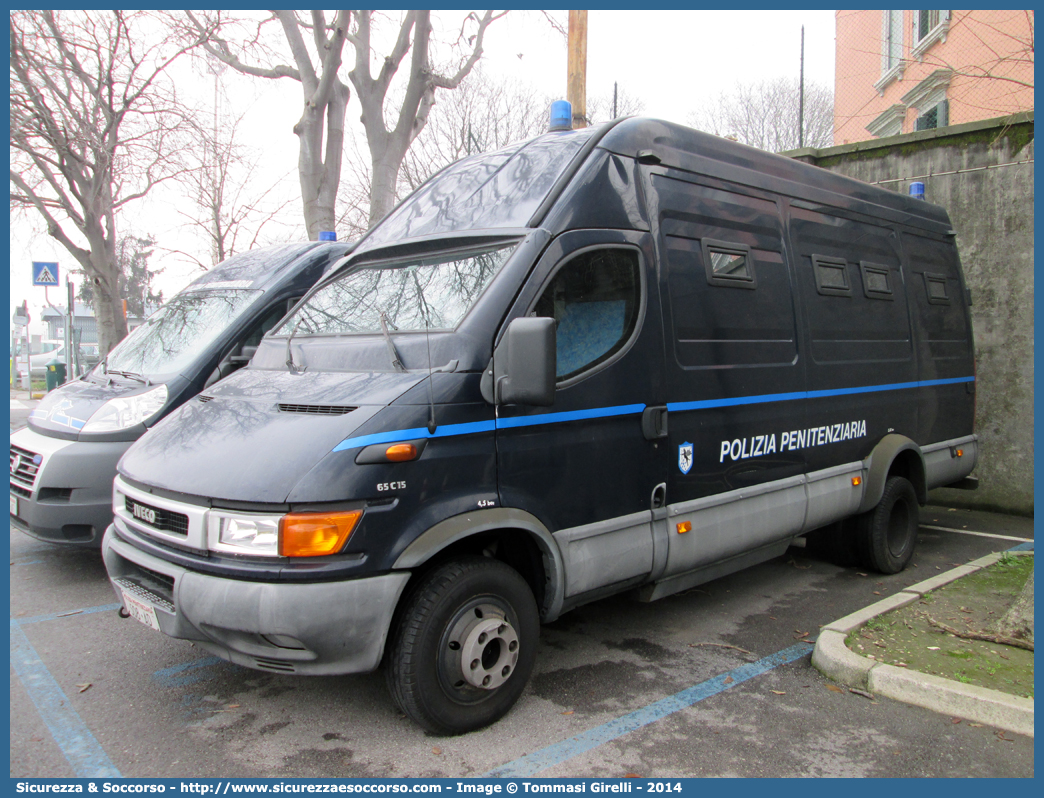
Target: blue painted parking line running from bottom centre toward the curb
(533, 764)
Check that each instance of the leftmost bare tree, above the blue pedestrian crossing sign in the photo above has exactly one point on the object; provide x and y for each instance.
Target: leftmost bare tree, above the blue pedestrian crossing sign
(94, 126)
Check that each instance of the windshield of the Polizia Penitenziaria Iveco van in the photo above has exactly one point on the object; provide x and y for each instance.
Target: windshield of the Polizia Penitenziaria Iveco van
(435, 293)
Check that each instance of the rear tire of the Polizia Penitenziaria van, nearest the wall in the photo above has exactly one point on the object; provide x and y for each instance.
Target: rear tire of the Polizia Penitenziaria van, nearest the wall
(887, 535)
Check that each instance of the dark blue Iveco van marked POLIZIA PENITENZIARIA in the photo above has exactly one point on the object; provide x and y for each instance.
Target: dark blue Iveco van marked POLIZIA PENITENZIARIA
(635, 357)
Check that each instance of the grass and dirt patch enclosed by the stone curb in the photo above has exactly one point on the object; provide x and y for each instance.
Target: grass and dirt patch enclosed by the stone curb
(906, 638)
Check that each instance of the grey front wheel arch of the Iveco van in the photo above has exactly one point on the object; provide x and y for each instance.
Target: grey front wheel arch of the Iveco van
(523, 543)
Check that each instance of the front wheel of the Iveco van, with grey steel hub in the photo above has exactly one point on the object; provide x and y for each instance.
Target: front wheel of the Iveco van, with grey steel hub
(464, 647)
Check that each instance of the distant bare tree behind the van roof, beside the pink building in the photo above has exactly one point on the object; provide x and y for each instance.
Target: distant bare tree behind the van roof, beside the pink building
(765, 115)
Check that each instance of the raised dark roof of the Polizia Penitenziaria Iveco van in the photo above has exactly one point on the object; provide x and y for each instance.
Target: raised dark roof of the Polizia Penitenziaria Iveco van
(514, 187)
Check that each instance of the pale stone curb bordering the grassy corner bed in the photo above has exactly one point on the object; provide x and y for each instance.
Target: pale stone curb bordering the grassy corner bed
(836, 661)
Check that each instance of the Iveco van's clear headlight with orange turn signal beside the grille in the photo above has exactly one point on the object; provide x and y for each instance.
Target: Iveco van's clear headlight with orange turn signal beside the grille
(293, 535)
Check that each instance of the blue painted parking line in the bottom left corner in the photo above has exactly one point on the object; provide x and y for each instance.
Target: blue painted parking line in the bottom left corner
(83, 752)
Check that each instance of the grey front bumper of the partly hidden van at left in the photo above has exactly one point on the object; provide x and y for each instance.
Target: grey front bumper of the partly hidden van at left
(68, 497)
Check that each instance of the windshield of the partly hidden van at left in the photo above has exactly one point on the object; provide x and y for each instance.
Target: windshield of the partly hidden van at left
(177, 334)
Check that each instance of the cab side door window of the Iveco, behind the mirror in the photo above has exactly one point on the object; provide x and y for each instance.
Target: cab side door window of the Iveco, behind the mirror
(596, 299)
